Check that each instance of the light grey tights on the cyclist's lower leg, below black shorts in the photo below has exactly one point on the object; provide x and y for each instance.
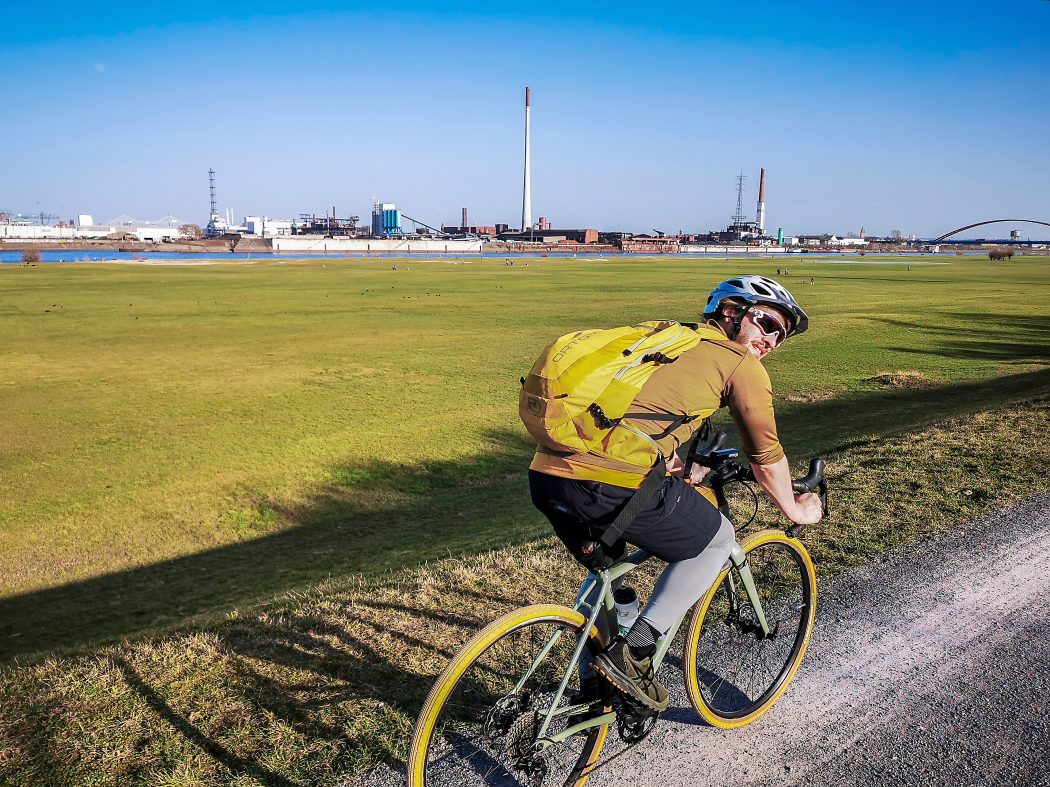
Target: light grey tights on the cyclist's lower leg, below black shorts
(681, 585)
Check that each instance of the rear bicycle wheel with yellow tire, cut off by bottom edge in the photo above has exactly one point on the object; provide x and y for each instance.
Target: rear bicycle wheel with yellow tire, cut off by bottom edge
(488, 668)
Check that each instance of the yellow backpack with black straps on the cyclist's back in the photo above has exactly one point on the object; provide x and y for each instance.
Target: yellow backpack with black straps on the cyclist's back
(583, 384)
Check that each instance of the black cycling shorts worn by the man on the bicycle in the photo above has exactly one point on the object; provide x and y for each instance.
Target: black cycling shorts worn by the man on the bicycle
(679, 523)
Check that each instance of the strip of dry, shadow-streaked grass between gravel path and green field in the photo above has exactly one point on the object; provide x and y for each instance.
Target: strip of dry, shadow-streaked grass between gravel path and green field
(328, 682)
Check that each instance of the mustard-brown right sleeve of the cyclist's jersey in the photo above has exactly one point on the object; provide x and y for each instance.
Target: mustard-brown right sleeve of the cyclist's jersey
(749, 396)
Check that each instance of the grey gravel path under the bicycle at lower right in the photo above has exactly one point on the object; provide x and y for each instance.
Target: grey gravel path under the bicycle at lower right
(930, 666)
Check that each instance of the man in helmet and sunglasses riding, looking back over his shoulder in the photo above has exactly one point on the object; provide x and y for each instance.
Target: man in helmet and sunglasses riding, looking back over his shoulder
(582, 494)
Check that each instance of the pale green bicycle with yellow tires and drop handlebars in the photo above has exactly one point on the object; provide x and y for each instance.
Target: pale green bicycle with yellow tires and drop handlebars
(509, 711)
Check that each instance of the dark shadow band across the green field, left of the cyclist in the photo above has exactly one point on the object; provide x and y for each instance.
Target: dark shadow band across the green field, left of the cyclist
(452, 507)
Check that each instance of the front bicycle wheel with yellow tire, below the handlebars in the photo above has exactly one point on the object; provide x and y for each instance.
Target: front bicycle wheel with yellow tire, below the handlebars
(733, 675)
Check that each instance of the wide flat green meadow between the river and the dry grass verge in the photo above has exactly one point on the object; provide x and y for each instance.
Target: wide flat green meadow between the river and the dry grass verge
(180, 441)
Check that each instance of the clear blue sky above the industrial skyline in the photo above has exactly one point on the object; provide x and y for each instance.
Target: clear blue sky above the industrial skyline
(918, 117)
